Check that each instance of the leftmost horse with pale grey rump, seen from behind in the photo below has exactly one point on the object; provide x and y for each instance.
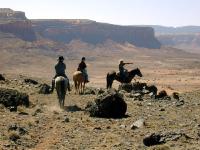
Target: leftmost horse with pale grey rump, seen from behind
(61, 85)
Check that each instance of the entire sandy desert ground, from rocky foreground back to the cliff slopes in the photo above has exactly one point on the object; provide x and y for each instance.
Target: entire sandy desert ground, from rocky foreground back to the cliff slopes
(167, 68)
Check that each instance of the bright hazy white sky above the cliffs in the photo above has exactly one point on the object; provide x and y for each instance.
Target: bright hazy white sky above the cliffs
(124, 12)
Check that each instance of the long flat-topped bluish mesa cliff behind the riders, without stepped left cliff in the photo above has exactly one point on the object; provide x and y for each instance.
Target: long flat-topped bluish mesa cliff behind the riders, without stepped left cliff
(94, 32)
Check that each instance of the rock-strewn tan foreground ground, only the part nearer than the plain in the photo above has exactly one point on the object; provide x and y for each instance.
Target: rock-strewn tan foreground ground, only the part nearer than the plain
(49, 127)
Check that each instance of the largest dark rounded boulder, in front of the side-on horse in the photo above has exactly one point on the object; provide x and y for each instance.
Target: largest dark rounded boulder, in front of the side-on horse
(108, 105)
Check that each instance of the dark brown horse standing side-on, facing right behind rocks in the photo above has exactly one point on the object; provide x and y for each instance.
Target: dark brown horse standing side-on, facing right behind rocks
(111, 76)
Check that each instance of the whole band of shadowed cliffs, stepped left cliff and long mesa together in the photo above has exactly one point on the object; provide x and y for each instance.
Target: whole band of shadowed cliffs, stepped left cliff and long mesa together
(16, 23)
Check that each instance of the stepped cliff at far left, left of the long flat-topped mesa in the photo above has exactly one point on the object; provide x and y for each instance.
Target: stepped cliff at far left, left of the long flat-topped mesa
(17, 24)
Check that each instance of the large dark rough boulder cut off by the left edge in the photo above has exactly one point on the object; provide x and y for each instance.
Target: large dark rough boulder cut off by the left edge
(12, 98)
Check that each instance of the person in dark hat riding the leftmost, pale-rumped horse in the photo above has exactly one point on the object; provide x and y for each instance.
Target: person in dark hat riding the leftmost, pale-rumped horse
(60, 71)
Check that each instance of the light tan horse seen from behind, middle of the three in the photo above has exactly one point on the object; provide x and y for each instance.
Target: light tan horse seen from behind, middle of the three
(79, 82)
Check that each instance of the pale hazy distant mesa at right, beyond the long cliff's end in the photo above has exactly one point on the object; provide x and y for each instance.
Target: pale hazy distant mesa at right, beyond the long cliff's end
(186, 38)
